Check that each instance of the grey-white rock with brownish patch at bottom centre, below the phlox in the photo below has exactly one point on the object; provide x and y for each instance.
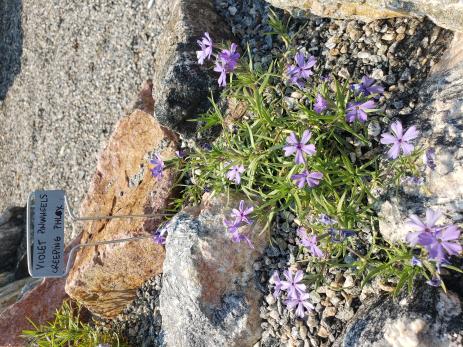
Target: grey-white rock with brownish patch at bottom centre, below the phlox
(209, 294)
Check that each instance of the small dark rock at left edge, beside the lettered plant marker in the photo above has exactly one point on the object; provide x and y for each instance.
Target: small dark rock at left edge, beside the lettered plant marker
(12, 231)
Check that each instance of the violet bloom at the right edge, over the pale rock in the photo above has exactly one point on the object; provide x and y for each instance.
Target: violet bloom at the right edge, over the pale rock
(441, 241)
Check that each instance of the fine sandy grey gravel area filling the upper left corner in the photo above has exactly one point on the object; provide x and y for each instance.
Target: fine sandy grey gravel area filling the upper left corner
(81, 67)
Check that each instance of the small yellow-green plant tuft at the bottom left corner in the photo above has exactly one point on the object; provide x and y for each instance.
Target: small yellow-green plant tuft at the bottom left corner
(68, 330)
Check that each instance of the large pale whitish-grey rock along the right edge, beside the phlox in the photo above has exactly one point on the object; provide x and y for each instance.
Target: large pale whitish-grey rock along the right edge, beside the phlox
(438, 117)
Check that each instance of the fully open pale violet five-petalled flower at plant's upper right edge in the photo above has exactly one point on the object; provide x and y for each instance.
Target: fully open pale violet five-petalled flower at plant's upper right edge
(399, 140)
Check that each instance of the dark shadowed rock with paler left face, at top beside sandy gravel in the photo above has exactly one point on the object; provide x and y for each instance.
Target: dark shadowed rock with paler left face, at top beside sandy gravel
(181, 86)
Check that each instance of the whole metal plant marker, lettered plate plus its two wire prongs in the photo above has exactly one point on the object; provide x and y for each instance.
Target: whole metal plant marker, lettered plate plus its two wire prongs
(45, 252)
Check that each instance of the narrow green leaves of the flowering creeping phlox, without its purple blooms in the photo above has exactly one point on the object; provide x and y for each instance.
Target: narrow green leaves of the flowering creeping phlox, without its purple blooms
(353, 165)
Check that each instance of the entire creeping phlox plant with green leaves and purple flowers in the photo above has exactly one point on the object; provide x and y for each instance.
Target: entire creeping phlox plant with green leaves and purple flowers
(313, 157)
